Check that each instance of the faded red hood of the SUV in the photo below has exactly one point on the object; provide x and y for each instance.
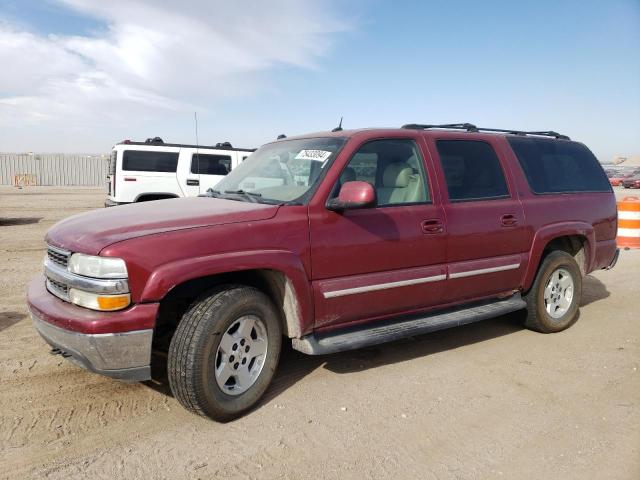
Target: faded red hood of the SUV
(92, 231)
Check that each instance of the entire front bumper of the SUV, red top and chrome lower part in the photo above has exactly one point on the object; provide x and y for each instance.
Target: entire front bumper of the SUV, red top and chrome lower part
(115, 344)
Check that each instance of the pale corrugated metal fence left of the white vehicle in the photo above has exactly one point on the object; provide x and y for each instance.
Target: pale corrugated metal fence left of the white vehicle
(56, 169)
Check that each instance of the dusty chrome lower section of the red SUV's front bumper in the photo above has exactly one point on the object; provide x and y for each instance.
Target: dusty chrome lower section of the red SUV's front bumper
(125, 356)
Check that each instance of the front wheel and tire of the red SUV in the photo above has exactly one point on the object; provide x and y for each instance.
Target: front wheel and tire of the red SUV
(217, 322)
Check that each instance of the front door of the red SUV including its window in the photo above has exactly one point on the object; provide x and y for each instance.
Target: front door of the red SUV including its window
(375, 262)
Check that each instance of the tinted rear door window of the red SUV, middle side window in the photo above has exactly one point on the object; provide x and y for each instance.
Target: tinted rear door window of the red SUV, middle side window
(472, 170)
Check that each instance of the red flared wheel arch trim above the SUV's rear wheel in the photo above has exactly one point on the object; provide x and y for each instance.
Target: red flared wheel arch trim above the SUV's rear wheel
(546, 234)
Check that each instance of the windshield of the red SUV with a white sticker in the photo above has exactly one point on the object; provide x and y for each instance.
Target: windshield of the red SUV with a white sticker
(283, 171)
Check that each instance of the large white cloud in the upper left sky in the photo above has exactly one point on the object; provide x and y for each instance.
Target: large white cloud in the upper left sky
(155, 57)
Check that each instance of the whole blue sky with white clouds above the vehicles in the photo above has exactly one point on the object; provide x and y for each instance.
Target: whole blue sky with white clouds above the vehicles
(81, 75)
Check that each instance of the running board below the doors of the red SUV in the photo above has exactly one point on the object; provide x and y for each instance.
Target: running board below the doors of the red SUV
(387, 331)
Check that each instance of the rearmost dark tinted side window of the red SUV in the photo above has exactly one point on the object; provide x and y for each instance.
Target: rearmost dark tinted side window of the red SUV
(557, 166)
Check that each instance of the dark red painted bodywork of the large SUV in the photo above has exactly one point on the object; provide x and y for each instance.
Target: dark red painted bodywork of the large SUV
(319, 250)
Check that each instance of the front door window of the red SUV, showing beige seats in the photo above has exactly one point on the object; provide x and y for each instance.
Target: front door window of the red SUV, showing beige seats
(394, 167)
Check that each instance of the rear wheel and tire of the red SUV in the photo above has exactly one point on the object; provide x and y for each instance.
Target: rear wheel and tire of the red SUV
(560, 311)
